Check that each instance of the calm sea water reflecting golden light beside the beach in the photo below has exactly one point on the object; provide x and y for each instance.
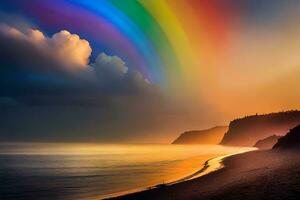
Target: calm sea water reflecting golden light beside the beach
(93, 171)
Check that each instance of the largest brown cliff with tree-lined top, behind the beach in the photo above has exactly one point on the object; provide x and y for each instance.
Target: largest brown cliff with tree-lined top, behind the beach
(248, 130)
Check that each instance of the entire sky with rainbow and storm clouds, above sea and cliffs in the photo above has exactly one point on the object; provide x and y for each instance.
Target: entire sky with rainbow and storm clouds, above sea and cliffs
(143, 70)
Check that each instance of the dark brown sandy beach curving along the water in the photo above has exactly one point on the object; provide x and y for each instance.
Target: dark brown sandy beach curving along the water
(271, 174)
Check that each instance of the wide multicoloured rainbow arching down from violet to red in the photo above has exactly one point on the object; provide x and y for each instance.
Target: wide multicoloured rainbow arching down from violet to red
(166, 40)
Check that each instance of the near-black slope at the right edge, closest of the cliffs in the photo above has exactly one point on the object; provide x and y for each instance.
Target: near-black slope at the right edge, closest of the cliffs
(290, 141)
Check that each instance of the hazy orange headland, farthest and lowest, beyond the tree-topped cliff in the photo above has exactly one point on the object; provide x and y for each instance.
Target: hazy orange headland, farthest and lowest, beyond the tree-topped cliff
(209, 136)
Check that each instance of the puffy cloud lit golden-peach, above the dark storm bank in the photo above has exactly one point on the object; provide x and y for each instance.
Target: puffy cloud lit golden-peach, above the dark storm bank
(66, 50)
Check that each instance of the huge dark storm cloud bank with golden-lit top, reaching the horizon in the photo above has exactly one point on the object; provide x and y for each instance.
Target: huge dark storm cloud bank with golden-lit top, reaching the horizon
(51, 91)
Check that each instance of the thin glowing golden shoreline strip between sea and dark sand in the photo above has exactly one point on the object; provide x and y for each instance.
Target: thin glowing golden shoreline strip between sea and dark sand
(209, 166)
